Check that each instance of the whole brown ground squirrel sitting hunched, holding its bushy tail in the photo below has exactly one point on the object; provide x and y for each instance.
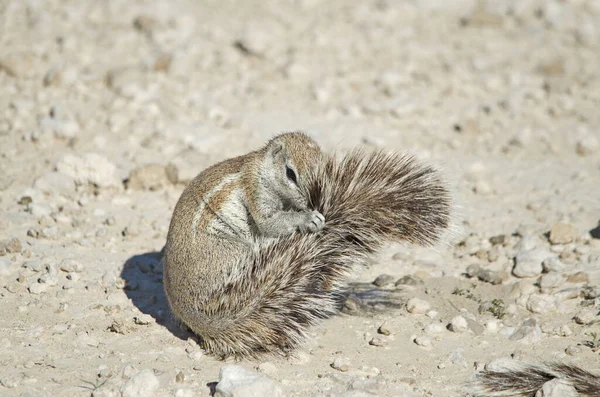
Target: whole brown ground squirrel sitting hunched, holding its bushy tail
(259, 245)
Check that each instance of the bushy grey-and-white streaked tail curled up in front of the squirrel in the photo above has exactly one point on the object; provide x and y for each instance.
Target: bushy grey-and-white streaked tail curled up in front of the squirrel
(368, 199)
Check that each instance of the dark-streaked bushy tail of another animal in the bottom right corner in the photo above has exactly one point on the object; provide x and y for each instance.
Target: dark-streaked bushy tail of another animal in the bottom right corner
(525, 380)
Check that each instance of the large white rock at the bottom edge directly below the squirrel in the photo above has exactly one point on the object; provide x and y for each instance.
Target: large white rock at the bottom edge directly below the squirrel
(237, 381)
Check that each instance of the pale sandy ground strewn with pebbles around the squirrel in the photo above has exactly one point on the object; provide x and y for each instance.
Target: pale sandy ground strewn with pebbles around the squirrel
(503, 96)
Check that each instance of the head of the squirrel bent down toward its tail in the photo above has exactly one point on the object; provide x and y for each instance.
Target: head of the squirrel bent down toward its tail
(289, 159)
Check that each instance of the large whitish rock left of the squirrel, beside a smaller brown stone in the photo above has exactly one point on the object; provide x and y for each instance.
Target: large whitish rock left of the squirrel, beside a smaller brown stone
(89, 168)
